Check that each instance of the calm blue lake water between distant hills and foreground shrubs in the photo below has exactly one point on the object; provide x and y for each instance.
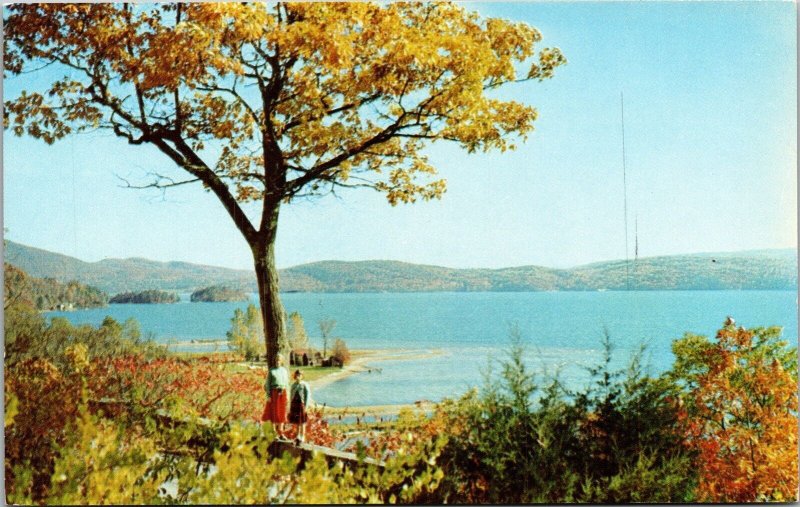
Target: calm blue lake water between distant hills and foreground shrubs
(464, 331)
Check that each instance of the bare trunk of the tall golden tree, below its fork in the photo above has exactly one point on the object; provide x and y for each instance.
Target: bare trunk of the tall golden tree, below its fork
(272, 312)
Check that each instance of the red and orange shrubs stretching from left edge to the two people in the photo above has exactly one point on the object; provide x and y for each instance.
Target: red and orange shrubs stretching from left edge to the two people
(129, 390)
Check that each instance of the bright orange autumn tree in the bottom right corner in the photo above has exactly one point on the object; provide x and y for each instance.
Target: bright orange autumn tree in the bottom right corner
(741, 413)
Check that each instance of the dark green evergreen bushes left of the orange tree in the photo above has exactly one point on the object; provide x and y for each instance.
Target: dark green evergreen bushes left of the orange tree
(514, 441)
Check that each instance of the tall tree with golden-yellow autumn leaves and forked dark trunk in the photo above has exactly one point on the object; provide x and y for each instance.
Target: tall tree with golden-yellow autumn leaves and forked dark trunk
(274, 102)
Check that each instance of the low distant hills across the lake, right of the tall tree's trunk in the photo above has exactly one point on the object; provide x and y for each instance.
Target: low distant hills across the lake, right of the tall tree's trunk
(766, 270)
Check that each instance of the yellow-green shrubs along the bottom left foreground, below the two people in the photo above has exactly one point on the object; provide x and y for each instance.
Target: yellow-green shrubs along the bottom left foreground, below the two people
(108, 461)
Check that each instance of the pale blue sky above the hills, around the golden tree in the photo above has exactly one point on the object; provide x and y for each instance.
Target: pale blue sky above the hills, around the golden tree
(710, 117)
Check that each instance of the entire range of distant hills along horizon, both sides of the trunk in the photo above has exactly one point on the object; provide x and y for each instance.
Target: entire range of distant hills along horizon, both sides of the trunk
(762, 269)
